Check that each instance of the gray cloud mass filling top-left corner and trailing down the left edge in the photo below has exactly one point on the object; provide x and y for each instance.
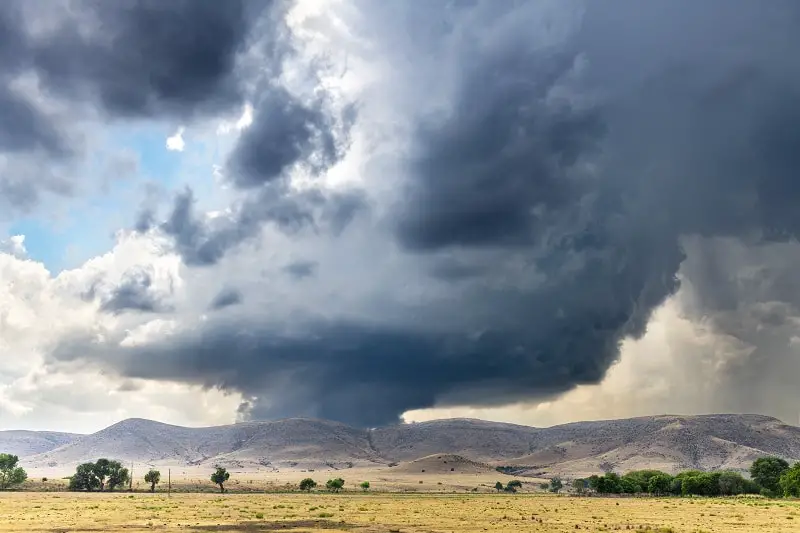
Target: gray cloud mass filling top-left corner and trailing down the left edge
(129, 59)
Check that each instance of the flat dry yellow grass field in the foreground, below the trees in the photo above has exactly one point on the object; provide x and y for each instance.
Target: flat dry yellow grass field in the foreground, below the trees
(64, 512)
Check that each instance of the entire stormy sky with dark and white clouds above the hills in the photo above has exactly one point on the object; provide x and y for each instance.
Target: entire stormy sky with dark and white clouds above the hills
(373, 212)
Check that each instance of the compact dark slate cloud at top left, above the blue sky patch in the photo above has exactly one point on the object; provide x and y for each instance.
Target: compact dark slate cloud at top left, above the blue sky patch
(149, 58)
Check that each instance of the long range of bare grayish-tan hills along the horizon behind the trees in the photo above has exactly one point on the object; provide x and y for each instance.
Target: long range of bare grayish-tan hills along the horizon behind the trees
(666, 442)
